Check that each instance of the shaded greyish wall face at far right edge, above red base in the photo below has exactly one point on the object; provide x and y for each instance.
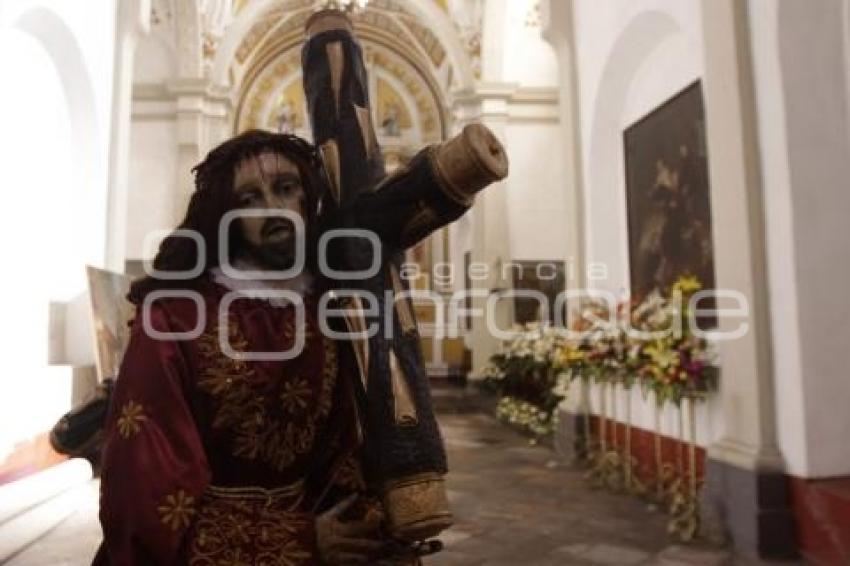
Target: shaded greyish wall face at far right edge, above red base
(817, 117)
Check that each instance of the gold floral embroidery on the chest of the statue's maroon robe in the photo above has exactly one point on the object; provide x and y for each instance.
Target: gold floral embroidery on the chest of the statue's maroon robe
(270, 419)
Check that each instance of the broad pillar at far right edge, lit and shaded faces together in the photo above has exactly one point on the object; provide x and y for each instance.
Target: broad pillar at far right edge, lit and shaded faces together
(805, 143)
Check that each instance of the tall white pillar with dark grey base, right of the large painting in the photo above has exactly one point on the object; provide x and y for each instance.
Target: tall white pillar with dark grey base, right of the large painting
(746, 487)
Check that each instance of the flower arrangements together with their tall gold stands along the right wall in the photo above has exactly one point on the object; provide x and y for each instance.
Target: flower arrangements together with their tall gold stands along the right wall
(649, 343)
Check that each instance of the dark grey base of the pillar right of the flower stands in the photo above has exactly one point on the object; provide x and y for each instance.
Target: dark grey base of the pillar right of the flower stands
(750, 508)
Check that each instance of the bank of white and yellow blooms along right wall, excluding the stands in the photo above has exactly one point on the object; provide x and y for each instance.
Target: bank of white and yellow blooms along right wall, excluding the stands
(649, 343)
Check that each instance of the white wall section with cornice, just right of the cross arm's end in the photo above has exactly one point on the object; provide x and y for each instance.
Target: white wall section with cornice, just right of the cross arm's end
(522, 67)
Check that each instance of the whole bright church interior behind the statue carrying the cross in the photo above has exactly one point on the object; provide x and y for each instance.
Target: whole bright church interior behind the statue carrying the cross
(660, 150)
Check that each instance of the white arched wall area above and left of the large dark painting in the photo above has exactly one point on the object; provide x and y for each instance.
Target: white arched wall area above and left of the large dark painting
(631, 58)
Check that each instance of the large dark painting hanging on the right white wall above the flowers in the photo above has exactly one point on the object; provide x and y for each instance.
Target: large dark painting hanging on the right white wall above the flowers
(668, 194)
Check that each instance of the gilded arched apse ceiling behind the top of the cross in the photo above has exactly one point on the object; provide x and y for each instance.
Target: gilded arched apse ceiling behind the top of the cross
(395, 46)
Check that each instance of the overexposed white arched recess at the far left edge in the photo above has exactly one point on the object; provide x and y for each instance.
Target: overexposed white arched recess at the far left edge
(73, 161)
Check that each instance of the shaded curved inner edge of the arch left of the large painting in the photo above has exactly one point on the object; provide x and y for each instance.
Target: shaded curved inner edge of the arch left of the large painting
(635, 45)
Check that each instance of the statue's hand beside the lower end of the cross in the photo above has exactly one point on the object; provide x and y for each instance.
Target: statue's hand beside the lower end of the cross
(347, 542)
